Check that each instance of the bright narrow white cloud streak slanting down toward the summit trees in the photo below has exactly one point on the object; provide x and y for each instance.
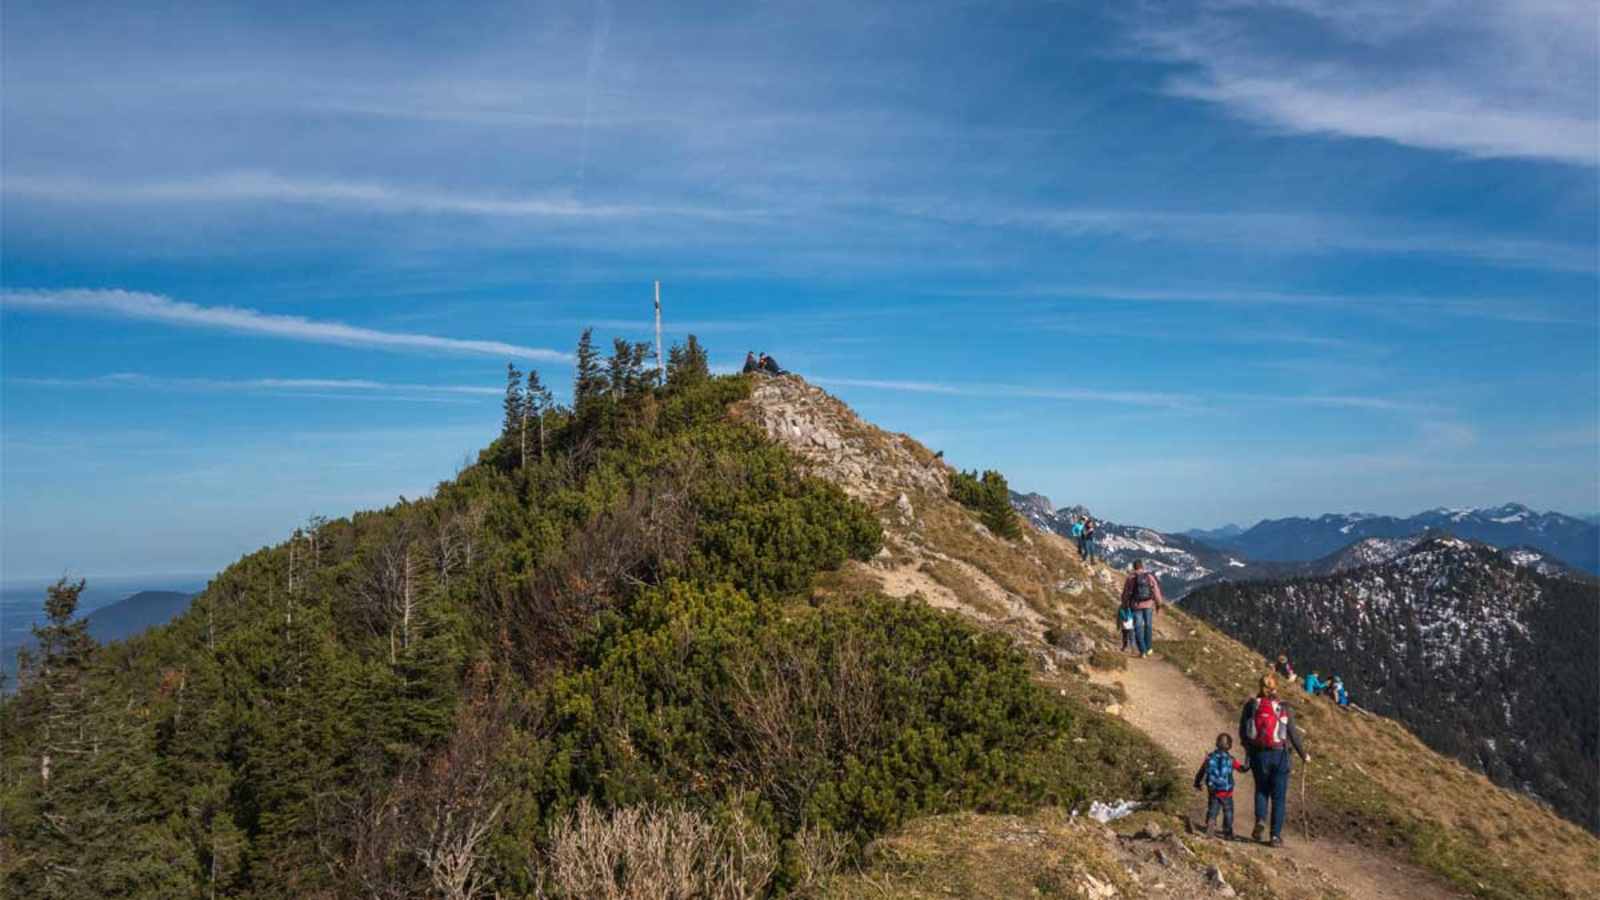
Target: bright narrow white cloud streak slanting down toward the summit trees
(158, 308)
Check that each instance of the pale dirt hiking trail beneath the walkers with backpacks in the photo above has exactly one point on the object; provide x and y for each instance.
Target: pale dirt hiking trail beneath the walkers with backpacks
(1182, 717)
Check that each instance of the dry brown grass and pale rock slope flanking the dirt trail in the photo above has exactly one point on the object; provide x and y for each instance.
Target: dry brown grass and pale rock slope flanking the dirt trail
(1374, 784)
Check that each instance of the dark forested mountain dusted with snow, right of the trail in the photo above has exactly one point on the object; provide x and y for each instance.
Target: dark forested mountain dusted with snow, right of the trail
(1484, 656)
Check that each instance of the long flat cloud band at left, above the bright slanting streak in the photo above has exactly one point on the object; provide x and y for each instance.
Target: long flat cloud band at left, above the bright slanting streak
(265, 187)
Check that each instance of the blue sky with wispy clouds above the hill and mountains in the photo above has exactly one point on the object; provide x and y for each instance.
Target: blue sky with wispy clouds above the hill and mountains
(1185, 263)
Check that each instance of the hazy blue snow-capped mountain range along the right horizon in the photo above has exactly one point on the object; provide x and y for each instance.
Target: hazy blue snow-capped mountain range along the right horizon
(1297, 540)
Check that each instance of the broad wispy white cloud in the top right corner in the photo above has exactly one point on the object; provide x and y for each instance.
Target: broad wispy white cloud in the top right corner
(1474, 78)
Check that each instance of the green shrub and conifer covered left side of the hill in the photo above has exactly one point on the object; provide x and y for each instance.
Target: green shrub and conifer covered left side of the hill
(596, 645)
